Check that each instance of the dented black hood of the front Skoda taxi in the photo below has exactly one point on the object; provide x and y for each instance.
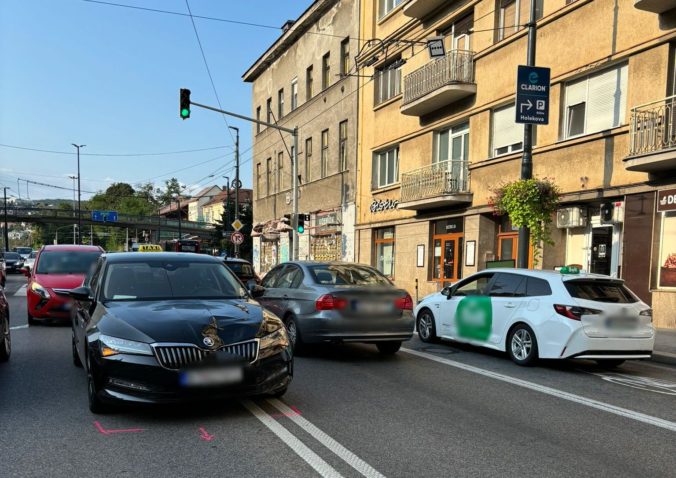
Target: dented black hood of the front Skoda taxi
(182, 321)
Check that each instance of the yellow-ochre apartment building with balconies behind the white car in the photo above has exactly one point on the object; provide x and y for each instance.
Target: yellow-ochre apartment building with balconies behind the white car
(439, 133)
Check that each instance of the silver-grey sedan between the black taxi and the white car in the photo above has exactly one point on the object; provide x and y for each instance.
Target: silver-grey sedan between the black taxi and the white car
(338, 302)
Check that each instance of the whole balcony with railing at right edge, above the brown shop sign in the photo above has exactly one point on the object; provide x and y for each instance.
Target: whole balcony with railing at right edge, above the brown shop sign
(652, 137)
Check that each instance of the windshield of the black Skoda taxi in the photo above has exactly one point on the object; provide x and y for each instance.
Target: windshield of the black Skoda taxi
(162, 279)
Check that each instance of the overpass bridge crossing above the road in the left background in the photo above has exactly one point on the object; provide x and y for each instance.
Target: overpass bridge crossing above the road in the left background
(64, 216)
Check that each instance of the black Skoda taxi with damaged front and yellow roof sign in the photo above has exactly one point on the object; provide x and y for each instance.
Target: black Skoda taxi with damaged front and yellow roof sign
(165, 327)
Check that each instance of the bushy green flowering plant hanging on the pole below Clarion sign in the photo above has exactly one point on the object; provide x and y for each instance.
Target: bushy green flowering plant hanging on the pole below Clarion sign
(529, 203)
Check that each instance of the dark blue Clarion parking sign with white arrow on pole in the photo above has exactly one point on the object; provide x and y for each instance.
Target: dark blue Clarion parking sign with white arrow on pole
(532, 95)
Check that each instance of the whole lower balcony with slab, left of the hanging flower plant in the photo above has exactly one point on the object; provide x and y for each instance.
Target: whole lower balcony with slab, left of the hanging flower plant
(439, 184)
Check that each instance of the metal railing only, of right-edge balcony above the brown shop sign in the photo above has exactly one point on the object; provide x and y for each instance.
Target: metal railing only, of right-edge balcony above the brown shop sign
(653, 127)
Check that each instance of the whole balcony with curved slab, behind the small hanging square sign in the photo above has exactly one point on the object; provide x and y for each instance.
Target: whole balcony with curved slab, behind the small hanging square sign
(440, 82)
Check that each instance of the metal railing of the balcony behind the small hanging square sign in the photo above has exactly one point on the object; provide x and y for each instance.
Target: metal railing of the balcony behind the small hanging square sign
(456, 67)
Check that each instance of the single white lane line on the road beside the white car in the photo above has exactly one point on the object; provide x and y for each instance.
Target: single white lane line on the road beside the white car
(606, 407)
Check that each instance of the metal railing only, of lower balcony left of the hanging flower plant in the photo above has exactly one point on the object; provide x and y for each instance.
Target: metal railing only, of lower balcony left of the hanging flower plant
(437, 179)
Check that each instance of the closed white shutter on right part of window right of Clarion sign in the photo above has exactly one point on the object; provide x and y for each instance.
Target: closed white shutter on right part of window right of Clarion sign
(606, 99)
